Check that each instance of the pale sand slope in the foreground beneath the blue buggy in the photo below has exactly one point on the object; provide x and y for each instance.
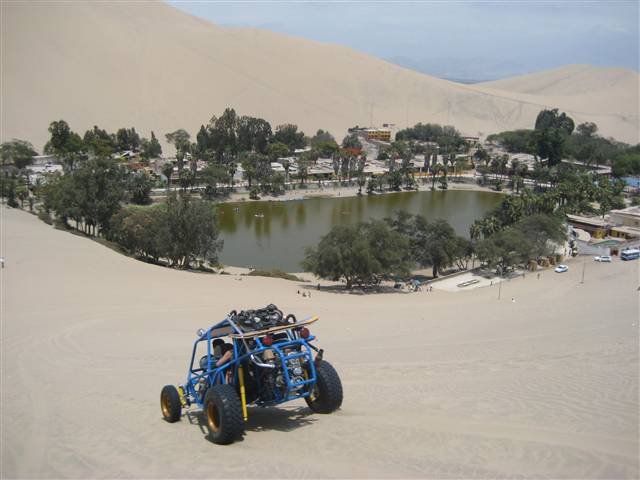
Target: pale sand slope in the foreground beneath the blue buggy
(436, 384)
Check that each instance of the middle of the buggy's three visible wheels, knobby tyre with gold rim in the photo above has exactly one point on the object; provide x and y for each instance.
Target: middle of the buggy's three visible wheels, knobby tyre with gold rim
(223, 414)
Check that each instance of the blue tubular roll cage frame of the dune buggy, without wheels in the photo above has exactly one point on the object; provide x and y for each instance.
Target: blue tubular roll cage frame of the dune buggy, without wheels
(247, 347)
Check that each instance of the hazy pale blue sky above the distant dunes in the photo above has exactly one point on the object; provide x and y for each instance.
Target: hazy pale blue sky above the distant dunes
(453, 39)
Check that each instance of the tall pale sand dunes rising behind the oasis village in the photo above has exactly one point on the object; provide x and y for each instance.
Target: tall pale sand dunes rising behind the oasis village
(156, 68)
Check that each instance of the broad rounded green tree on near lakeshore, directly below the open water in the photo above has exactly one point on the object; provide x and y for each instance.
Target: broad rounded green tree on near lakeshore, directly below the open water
(361, 255)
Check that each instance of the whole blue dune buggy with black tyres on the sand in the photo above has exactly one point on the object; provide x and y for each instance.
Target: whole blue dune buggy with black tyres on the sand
(255, 357)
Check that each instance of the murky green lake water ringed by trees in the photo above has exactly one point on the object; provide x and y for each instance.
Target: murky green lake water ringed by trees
(278, 238)
